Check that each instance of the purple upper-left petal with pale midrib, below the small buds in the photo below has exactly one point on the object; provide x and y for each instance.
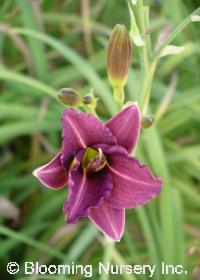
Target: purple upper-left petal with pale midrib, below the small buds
(81, 130)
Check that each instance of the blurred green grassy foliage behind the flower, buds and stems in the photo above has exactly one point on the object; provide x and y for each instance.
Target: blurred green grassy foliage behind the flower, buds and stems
(47, 45)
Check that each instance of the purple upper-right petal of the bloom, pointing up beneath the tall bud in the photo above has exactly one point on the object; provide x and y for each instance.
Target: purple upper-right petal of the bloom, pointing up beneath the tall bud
(126, 126)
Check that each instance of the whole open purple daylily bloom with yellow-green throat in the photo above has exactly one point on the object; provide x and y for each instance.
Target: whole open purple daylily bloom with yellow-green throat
(102, 178)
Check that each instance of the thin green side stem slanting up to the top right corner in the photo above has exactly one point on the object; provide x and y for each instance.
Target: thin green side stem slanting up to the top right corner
(175, 33)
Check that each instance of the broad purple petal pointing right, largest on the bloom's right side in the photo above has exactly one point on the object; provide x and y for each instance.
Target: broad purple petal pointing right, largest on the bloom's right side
(133, 183)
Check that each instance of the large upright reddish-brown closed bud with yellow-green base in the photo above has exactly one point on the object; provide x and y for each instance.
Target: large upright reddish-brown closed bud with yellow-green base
(118, 56)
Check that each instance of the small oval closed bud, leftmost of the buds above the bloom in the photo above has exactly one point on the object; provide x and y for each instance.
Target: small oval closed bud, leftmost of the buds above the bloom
(69, 96)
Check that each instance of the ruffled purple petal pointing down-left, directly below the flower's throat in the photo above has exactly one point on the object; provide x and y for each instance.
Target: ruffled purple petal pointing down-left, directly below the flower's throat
(85, 191)
